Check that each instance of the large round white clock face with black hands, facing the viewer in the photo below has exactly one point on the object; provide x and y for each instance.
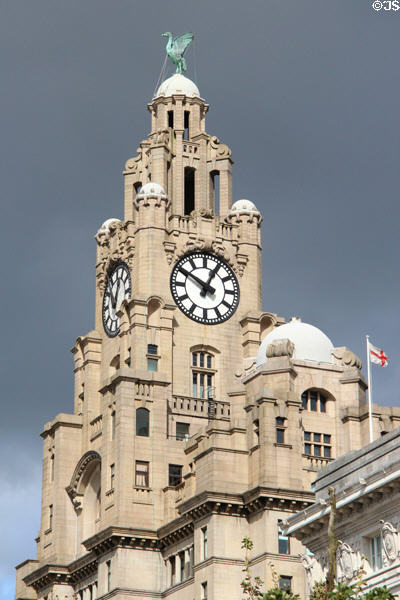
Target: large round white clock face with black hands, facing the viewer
(205, 288)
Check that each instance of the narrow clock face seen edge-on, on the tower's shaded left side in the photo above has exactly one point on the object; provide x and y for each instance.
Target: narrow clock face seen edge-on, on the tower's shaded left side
(118, 288)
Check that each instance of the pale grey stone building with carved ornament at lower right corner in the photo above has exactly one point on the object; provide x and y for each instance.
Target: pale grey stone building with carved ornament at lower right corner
(367, 524)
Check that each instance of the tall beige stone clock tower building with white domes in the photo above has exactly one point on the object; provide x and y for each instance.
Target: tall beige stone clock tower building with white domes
(198, 418)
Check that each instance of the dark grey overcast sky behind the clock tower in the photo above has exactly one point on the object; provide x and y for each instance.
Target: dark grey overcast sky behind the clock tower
(306, 94)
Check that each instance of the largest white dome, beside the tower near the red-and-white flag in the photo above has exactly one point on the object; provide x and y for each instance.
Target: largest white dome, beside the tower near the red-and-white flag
(310, 343)
